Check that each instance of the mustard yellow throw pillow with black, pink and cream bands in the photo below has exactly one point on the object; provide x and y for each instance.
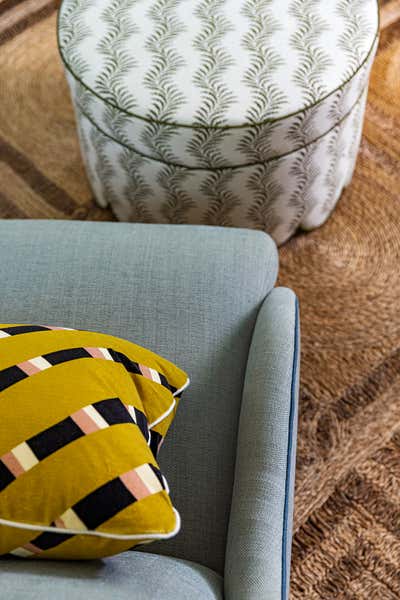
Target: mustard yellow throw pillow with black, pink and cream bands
(82, 416)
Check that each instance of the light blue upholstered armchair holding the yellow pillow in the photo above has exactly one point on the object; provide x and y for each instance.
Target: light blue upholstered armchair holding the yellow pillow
(203, 297)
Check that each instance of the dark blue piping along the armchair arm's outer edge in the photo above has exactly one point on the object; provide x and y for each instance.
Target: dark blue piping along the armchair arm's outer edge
(289, 465)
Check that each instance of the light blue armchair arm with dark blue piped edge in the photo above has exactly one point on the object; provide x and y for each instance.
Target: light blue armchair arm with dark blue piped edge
(257, 563)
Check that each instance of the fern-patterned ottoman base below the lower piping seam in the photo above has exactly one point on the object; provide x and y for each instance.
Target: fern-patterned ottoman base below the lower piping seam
(297, 190)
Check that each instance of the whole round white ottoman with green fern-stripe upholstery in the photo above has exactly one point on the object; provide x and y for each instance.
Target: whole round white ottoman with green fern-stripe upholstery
(226, 112)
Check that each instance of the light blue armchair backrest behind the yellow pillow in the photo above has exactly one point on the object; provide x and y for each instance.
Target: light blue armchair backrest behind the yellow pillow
(189, 293)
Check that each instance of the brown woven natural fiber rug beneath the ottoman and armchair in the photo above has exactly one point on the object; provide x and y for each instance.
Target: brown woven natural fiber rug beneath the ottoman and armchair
(346, 274)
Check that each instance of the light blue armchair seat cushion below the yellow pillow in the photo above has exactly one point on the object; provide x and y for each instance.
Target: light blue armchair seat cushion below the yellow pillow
(131, 575)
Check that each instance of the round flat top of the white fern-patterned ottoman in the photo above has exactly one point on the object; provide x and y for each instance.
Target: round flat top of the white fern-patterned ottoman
(218, 63)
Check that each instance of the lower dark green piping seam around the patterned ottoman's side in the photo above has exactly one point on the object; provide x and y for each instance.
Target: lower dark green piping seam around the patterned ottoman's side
(227, 167)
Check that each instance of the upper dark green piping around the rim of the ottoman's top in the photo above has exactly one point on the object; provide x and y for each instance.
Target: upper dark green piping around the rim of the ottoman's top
(219, 127)
